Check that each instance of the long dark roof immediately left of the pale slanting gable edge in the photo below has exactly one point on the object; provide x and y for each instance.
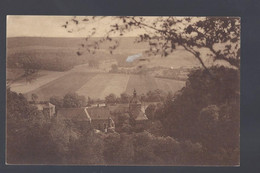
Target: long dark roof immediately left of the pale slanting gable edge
(79, 114)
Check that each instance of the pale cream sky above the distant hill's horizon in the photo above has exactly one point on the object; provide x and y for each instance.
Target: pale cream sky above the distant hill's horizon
(51, 26)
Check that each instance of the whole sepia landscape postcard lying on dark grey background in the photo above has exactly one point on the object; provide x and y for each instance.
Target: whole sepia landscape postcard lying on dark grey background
(123, 90)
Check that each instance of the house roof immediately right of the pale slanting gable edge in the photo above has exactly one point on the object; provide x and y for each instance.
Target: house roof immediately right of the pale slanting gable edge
(99, 113)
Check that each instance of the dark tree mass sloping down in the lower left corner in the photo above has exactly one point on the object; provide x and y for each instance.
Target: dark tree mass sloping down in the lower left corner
(28, 138)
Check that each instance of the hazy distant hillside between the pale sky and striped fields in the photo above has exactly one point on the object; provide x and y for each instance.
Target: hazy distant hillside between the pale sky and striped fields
(61, 53)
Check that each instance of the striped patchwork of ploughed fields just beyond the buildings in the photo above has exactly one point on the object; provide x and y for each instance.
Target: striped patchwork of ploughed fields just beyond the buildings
(95, 85)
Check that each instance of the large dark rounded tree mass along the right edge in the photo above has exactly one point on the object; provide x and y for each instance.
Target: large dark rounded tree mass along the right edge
(207, 111)
